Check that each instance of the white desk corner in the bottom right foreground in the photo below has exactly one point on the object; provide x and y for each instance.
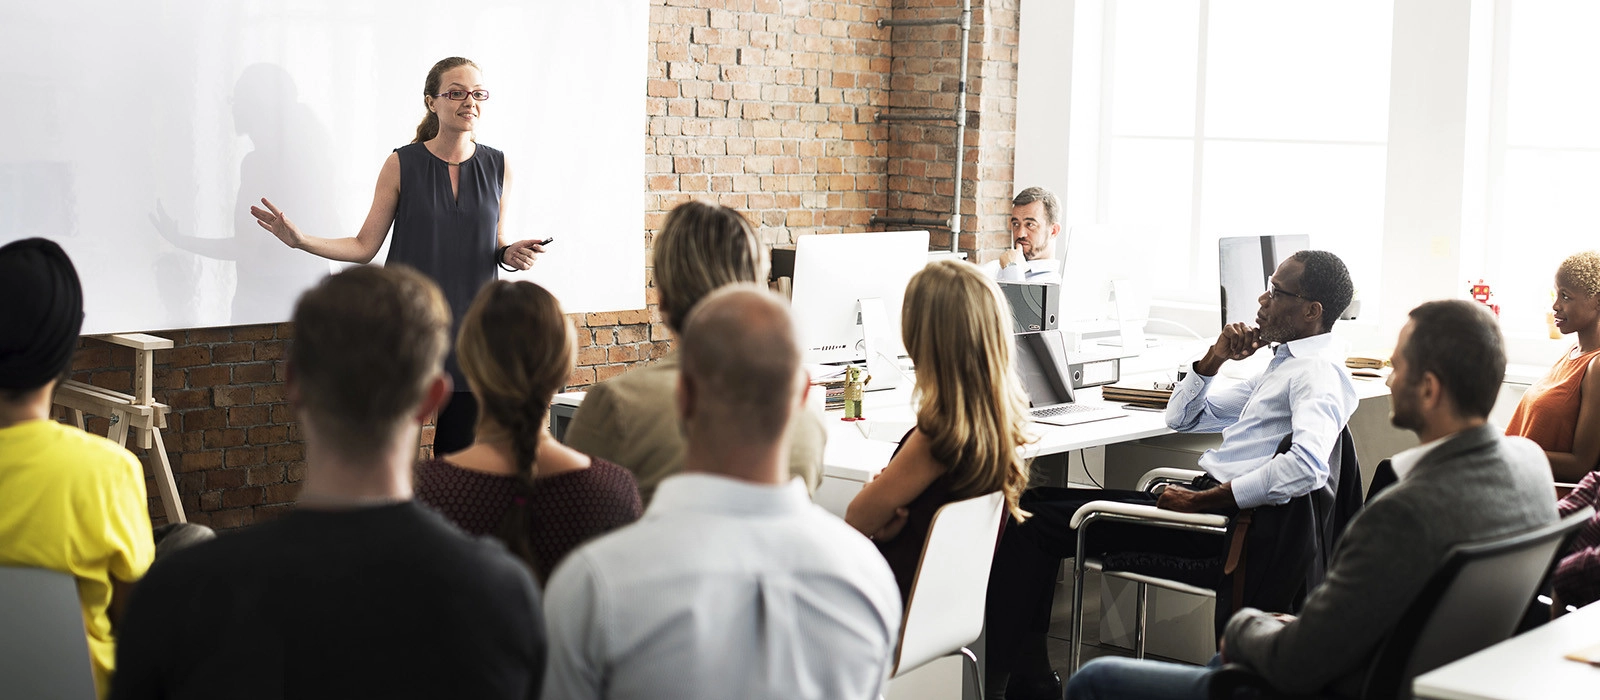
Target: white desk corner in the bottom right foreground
(1524, 667)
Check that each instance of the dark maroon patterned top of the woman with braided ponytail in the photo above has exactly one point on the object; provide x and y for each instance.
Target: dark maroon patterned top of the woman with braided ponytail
(570, 507)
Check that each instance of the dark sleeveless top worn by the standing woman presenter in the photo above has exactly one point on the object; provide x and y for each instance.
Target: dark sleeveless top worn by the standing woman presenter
(449, 239)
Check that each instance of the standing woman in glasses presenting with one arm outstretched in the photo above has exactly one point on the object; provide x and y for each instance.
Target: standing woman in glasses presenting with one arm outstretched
(446, 197)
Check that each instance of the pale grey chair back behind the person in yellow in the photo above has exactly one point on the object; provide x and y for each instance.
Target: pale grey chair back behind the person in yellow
(44, 650)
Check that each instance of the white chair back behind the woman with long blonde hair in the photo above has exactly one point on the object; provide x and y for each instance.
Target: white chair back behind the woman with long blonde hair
(946, 607)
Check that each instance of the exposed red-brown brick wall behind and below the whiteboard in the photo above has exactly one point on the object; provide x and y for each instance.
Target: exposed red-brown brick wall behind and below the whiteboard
(766, 106)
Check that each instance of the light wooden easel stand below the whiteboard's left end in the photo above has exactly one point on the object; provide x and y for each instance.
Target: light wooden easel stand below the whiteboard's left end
(138, 412)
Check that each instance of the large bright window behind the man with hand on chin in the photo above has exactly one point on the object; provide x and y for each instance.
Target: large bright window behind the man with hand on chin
(1230, 117)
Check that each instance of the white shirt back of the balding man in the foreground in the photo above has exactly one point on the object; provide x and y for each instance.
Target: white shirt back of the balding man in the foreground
(724, 591)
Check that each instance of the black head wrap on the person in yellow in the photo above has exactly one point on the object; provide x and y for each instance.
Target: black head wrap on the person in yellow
(41, 312)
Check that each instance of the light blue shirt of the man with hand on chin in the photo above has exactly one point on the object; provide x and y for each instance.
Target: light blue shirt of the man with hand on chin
(1305, 391)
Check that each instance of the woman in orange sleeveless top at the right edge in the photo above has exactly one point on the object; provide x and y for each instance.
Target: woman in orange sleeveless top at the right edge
(1562, 412)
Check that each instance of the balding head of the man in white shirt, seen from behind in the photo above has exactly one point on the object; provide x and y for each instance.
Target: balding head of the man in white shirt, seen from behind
(740, 354)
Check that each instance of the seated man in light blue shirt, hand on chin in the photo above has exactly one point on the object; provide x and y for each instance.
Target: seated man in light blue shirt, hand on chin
(1305, 392)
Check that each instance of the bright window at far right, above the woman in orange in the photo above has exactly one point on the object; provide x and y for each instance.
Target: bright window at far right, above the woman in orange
(1534, 161)
